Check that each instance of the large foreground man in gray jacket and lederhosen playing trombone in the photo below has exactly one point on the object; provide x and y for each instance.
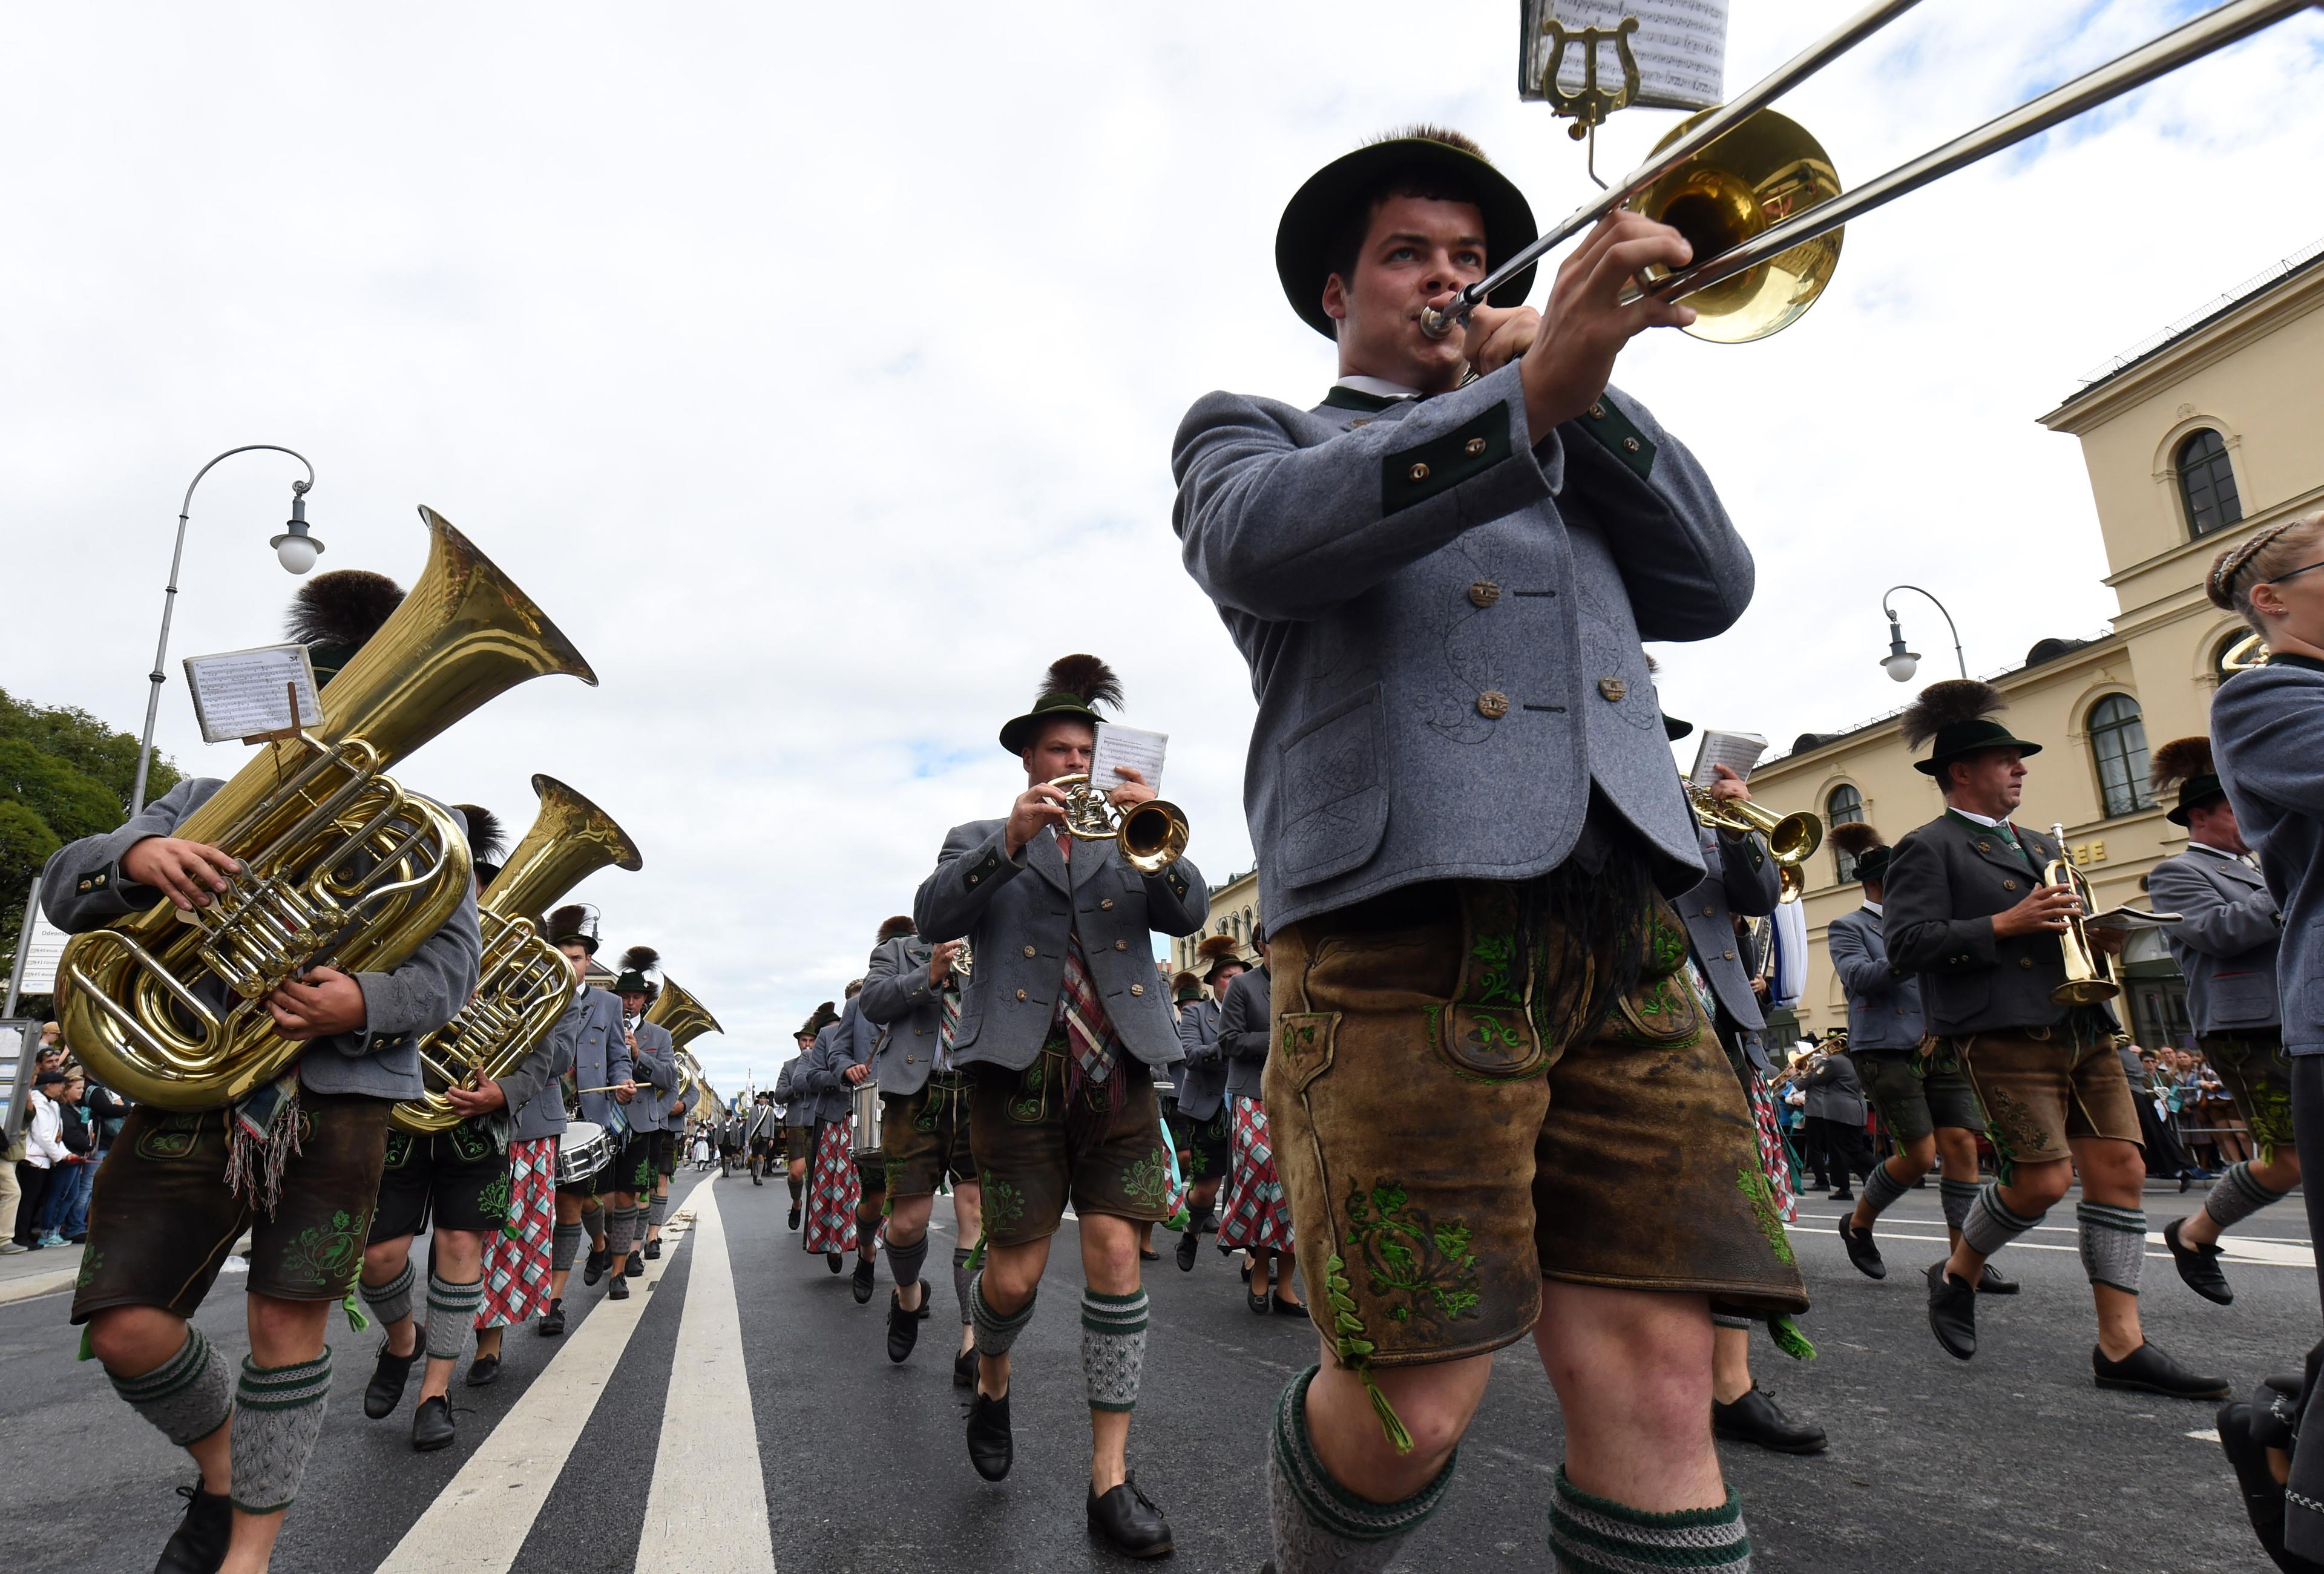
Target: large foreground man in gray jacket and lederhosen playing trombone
(1463, 808)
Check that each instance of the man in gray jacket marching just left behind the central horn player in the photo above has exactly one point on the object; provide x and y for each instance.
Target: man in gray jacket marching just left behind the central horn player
(924, 1126)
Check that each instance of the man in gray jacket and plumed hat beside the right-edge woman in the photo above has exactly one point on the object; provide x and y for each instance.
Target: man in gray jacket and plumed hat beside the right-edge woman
(2225, 943)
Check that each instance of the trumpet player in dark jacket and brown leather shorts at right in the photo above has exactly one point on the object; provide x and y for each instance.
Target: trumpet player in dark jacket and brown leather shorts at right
(1972, 910)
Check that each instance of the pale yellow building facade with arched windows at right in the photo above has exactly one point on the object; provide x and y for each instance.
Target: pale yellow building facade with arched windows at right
(2211, 434)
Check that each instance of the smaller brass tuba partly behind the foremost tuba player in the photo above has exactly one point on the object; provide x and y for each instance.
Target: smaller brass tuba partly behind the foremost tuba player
(522, 982)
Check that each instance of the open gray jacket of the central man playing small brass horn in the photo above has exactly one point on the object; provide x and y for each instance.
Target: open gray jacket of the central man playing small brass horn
(1019, 915)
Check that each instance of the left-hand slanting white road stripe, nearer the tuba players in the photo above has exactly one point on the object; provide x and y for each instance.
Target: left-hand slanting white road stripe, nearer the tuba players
(482, 1519)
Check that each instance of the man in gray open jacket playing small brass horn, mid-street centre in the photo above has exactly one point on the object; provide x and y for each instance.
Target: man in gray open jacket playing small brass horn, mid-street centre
(1061, 1029)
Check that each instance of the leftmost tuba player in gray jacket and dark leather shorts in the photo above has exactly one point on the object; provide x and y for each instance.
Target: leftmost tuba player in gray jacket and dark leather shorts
(296, 1161)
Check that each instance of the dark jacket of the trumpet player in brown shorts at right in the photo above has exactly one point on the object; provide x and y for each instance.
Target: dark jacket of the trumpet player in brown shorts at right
(1944, 887)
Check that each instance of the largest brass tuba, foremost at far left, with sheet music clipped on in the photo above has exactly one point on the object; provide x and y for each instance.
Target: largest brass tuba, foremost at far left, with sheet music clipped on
(340, 866)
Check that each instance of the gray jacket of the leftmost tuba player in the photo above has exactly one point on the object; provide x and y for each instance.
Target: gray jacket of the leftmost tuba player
(85, 889)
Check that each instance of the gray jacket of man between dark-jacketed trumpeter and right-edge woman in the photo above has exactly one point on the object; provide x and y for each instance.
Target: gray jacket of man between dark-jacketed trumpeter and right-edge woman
(2225, 938)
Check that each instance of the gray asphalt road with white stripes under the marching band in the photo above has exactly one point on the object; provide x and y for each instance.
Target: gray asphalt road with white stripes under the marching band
(643, 1450)
